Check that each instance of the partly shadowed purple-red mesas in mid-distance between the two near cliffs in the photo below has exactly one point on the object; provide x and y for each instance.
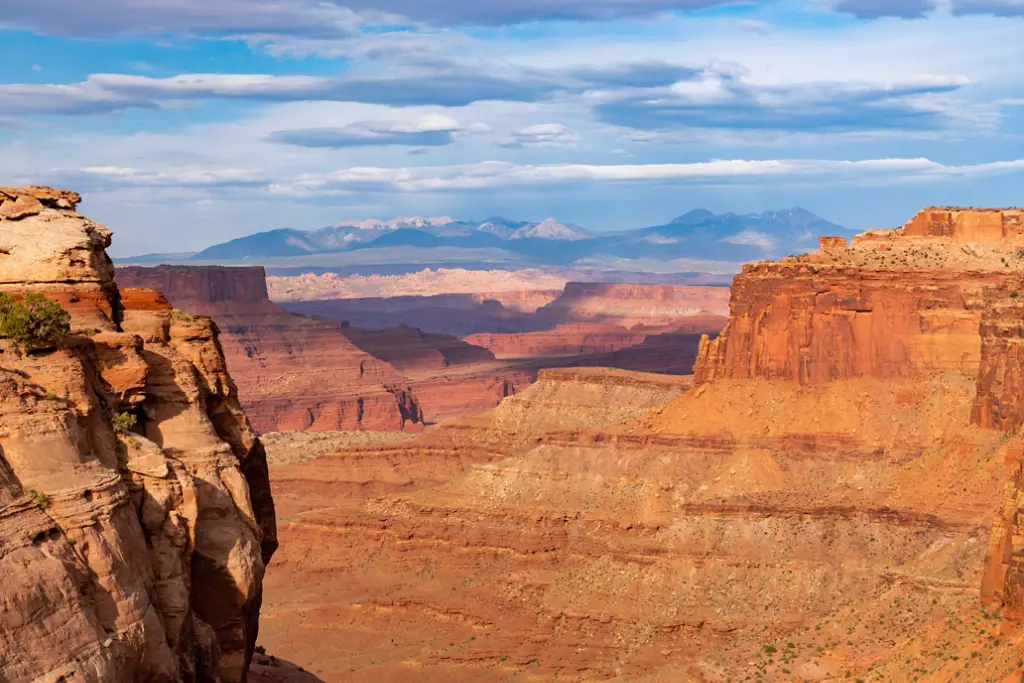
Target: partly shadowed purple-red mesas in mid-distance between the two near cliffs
(324, 366)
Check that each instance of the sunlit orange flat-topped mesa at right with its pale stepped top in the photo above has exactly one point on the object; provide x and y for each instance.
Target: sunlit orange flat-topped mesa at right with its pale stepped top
(900, 304)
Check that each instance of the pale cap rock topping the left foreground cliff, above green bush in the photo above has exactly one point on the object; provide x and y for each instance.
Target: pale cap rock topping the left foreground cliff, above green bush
(48, 247)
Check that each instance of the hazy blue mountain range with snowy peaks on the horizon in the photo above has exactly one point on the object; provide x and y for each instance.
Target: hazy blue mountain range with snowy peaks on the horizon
(698, 235)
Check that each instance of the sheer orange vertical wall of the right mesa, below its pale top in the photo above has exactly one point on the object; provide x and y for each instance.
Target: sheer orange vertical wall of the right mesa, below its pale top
(817, 324)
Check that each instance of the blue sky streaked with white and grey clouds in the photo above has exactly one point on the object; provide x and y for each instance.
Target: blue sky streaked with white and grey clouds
(186, 123)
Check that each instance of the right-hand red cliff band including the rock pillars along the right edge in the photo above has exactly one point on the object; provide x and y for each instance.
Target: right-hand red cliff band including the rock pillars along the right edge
(944, 295)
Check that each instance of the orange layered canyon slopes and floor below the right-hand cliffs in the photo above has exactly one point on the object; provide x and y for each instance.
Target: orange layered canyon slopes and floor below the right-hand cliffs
(605, 526)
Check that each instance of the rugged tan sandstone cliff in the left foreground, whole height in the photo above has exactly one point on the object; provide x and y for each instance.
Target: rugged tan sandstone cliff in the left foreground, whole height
(133, 557)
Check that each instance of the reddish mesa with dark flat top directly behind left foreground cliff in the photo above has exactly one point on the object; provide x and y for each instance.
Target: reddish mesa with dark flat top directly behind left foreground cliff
(292, 372)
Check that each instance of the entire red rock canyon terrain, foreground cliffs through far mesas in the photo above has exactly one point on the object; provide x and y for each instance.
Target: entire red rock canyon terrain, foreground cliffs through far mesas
(834, 493)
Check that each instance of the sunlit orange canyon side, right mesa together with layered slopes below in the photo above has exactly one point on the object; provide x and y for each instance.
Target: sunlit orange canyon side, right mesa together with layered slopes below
(833, 495)
